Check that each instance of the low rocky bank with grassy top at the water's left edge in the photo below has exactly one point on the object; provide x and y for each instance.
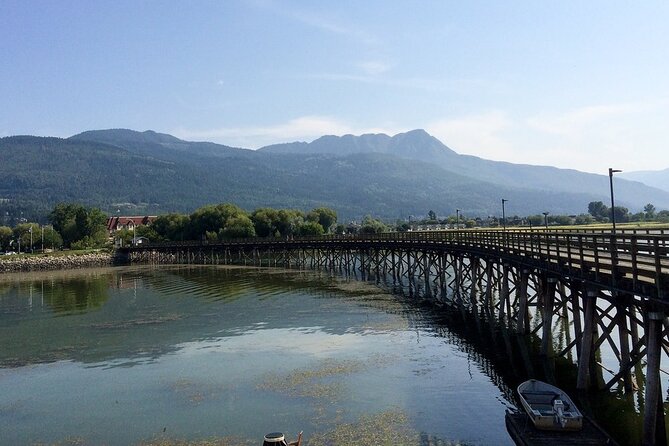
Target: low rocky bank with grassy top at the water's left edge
(52, 263)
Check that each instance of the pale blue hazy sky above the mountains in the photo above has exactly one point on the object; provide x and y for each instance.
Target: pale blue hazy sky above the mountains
(577, 84)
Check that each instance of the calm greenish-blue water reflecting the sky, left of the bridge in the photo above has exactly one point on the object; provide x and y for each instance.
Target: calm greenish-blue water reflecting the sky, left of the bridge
(141, 355)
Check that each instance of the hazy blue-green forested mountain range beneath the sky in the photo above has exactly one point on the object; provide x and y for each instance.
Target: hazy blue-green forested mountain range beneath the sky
(386, 176)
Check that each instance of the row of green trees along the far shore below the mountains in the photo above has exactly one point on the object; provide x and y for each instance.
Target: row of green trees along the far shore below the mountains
(75, 226)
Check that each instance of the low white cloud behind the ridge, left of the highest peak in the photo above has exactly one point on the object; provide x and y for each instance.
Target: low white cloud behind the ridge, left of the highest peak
(305, 128)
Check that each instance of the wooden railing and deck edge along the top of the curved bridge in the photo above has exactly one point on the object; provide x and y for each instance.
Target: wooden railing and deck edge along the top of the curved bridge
(633, 257)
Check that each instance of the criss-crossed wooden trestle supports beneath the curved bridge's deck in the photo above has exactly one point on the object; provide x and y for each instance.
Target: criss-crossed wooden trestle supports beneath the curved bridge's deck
(573, 318)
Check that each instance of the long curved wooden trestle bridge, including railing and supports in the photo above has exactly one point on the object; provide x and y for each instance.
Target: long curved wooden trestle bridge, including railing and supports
(612, 290)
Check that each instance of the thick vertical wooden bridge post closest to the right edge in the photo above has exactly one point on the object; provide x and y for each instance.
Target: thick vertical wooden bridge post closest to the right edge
(653, 384)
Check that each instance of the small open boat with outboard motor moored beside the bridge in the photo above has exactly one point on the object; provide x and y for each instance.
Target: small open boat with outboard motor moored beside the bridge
(549, 408)
